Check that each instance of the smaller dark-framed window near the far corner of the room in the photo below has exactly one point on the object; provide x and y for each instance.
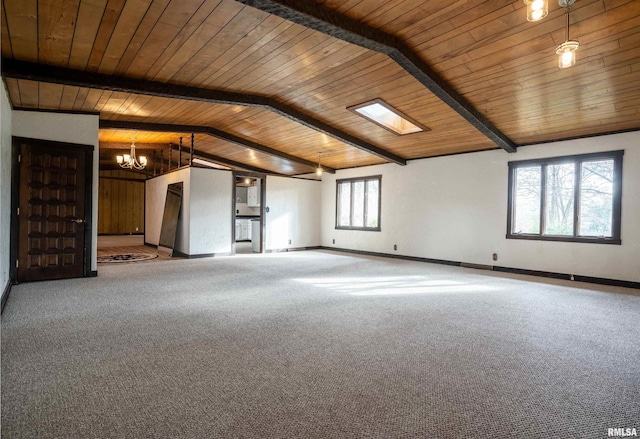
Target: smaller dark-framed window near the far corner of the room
(358, 203)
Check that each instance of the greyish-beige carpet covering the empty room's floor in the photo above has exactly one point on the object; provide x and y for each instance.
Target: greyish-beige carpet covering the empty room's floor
(317, 344)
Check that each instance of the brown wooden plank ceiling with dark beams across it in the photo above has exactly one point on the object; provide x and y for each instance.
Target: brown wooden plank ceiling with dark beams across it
(279, 87)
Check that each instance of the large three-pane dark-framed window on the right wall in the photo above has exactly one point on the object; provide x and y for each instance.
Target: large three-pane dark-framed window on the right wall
(572, 198)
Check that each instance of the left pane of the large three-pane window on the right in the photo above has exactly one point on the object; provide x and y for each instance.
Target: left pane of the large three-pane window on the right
(527, 200)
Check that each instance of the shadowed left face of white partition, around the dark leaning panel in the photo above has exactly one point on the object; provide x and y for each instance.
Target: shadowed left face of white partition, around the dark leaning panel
(155, 196)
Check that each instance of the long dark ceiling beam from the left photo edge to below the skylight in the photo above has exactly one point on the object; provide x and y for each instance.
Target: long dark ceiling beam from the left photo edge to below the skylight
(59, 75)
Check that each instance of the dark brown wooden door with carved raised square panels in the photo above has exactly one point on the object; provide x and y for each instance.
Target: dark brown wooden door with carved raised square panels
(53, 210)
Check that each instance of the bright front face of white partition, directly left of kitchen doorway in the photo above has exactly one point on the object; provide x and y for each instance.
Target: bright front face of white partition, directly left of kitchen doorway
(211, 211)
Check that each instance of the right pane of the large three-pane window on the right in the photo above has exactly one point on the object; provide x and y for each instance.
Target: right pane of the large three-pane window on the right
(596, 198)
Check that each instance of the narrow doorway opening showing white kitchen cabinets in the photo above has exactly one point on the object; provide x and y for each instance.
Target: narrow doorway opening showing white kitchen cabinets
(248, 212)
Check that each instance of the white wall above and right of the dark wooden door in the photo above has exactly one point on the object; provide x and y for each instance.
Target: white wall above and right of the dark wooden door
(71, 128)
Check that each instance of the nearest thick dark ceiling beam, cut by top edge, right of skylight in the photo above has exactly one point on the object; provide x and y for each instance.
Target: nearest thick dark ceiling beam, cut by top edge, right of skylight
(314, 16)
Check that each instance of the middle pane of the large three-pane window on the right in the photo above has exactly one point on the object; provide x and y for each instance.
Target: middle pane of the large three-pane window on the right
(559, 206)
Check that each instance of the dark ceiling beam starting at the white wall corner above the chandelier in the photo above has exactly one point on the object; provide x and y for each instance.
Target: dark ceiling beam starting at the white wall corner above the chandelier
(170, 128)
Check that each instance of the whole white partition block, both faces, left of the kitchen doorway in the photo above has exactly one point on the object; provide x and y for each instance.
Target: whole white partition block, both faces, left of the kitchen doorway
(205, 215)
